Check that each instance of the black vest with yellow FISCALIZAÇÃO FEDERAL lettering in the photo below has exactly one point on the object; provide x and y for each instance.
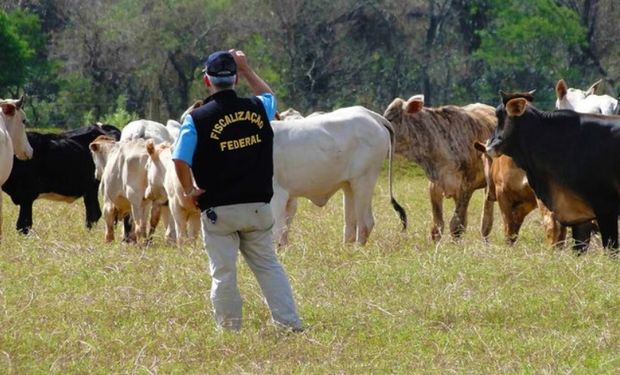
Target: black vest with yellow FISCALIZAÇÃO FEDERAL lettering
(233, 161)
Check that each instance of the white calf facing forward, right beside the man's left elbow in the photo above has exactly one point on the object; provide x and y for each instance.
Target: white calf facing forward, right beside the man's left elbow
(164, 185)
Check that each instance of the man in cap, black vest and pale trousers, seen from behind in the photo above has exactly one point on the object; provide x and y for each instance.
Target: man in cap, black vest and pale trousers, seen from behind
(228, 145)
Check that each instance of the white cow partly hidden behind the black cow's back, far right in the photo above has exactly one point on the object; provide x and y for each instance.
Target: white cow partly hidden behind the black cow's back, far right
(585, 101)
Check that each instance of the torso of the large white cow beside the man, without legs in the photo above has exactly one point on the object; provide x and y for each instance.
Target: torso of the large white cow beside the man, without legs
(315, 155)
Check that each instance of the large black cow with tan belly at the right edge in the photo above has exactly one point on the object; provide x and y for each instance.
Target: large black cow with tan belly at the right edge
(572, 161)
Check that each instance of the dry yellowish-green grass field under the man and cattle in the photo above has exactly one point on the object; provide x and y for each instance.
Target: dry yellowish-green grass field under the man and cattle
(402, 304)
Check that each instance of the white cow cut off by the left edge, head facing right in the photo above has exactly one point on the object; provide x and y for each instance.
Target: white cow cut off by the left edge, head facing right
(13, 140)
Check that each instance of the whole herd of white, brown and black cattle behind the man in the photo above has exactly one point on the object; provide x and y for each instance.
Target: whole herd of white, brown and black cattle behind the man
(566, 162)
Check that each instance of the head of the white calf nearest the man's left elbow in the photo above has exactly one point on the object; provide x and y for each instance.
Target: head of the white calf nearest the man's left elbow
(156, 170)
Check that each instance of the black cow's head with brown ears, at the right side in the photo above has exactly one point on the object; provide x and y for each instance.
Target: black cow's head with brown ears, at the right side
(513, 106)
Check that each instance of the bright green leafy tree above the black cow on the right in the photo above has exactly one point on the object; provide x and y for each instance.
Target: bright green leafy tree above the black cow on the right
(527, 46)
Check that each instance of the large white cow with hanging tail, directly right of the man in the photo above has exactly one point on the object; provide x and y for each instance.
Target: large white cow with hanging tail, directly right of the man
(315, 157)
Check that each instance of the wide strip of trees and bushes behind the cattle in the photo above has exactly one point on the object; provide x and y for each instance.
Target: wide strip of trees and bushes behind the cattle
(116, 59)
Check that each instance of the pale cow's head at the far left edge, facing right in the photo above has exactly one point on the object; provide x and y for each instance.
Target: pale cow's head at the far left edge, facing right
(15, 121)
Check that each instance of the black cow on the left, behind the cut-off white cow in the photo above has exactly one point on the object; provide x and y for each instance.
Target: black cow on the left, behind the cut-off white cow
(61, 168)
